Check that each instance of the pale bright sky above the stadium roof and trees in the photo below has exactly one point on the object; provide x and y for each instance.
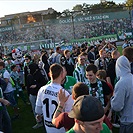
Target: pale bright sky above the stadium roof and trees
(18, 6)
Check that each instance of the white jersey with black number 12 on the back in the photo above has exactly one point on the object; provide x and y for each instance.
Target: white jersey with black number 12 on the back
(47, 99)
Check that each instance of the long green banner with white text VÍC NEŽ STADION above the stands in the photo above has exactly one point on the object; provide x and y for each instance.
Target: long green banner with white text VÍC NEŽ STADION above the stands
(89, 18)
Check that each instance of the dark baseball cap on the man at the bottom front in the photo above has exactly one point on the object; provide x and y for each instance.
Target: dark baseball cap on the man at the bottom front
(86, 108)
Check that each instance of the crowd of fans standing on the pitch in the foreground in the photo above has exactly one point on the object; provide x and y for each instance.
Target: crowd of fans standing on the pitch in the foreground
(71, 91)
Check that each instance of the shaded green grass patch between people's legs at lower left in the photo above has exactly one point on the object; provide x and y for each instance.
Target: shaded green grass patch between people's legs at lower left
(26, 120)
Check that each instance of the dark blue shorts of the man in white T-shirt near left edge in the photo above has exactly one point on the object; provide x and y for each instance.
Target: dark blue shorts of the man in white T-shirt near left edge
(10, 97)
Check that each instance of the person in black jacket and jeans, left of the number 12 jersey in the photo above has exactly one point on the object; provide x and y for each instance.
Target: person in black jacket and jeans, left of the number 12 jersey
(34, 81)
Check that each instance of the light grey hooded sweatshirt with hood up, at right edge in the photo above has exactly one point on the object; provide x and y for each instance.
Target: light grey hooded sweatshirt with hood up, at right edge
(122, 101)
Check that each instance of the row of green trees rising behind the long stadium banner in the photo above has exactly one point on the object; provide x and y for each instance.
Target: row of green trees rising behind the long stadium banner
(103, 7)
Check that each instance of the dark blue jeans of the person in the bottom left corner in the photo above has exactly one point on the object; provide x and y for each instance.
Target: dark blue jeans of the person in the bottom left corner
(5, 121)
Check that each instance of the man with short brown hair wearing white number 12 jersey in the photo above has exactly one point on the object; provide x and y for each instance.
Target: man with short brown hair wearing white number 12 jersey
(47, 100)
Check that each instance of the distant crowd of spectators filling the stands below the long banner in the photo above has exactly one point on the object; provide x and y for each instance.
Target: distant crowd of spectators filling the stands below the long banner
(66, 32)
